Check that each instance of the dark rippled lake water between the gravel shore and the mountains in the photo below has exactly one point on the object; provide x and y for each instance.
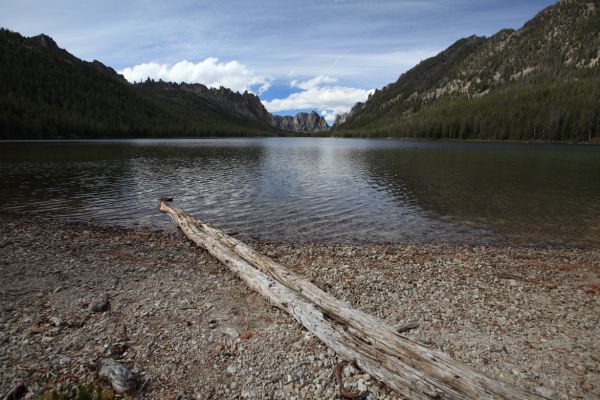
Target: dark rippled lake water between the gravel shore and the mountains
(318, 189)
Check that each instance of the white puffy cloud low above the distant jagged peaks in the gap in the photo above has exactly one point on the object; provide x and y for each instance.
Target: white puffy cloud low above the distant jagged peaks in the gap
(328, 100)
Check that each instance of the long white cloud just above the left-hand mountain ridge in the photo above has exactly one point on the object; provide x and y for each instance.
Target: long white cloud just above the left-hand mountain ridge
(209, 72)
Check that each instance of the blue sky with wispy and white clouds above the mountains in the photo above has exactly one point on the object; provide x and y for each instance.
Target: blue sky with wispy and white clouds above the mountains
(322, 55)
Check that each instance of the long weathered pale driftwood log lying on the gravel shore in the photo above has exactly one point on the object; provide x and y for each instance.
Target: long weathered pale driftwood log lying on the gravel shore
(406, 366)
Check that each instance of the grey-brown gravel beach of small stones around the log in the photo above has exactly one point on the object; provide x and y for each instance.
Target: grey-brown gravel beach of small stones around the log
(191, 330)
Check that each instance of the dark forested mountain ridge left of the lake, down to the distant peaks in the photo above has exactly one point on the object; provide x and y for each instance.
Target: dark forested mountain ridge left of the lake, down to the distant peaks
(46, 92)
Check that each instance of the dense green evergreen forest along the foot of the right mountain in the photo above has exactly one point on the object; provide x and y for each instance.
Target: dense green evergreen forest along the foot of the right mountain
(563, 111)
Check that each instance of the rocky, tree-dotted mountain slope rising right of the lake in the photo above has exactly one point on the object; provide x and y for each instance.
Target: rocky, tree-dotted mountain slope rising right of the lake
(541, 81)
